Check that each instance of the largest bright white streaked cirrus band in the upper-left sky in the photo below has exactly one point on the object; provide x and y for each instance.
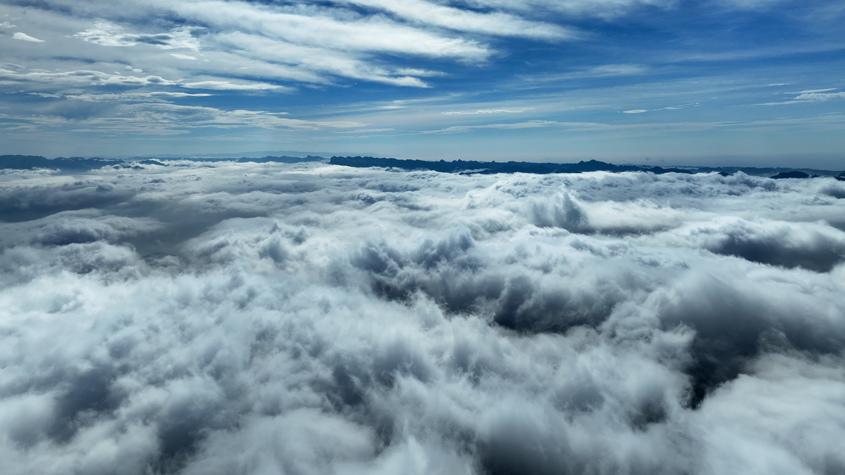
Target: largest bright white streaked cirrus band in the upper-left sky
(281, 42)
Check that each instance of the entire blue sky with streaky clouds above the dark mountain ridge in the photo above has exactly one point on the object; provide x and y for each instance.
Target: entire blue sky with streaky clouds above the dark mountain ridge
(751, 82)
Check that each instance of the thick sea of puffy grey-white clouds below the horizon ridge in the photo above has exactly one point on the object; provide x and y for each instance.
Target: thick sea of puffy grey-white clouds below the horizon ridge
(220, 317)
